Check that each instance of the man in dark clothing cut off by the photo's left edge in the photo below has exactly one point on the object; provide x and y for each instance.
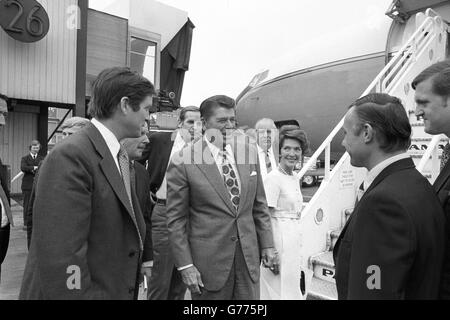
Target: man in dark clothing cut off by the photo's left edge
(5, 209)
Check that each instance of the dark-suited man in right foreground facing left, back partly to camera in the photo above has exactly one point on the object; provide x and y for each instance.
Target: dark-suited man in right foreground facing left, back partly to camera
(392, 245)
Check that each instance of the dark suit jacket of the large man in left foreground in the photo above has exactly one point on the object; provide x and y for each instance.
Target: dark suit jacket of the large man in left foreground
(85, 242)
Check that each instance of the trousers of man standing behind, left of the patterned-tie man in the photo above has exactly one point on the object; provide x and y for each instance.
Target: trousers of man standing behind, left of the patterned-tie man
(165, 282)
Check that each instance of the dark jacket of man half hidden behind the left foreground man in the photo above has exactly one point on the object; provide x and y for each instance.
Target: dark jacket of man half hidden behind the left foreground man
(143, 195)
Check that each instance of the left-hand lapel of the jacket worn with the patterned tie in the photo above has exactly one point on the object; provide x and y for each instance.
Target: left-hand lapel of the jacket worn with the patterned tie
(212, 174)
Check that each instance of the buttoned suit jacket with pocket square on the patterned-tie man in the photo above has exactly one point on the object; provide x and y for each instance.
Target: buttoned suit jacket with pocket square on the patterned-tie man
(204, 227)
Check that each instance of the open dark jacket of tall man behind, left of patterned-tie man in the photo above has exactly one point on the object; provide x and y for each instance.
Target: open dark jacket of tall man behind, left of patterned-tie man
(157, 153)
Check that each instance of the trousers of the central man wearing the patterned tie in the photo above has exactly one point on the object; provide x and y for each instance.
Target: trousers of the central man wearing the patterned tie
(239, 285)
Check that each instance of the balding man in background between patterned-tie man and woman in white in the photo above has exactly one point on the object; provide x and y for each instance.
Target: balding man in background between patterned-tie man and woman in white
(266, 131)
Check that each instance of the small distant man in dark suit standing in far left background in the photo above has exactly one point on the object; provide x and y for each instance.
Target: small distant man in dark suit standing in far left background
(29, 166)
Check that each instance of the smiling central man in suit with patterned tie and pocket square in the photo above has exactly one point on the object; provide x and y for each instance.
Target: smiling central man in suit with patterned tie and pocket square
(218, 220)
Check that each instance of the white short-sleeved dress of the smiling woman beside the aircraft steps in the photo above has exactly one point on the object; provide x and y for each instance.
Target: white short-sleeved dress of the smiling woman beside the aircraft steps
(284, 194)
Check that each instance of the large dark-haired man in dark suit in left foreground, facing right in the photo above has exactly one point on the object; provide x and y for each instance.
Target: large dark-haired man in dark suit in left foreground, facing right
(88, 227)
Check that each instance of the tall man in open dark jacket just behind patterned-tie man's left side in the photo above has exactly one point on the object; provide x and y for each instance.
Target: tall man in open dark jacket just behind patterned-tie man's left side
(165, 280)
